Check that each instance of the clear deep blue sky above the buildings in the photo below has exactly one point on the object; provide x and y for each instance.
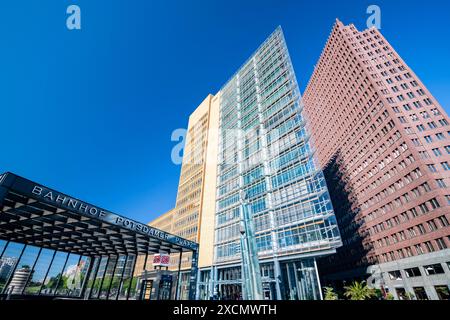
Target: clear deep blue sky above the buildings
(90, 112)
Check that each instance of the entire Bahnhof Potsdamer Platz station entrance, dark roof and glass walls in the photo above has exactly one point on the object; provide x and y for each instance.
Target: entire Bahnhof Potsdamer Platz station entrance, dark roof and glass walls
(53, 245)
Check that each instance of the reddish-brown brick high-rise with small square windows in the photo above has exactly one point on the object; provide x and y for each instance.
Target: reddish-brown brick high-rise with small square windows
(384, 143)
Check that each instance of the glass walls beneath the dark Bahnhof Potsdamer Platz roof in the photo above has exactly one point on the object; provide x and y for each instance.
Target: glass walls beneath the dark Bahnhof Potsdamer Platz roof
(29, 270)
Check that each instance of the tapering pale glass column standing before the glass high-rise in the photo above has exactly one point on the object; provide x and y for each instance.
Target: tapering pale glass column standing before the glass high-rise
(251, 271)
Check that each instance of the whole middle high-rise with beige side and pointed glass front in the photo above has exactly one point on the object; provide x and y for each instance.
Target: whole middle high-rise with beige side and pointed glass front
(251, 137)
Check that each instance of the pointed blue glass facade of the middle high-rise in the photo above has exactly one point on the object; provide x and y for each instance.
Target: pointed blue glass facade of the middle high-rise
(265, 150)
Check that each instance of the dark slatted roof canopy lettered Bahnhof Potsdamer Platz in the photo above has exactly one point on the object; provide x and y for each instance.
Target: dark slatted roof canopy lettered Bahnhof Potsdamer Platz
(35, 215)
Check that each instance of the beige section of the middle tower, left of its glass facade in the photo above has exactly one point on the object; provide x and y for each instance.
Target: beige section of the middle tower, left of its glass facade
(195, 206)
